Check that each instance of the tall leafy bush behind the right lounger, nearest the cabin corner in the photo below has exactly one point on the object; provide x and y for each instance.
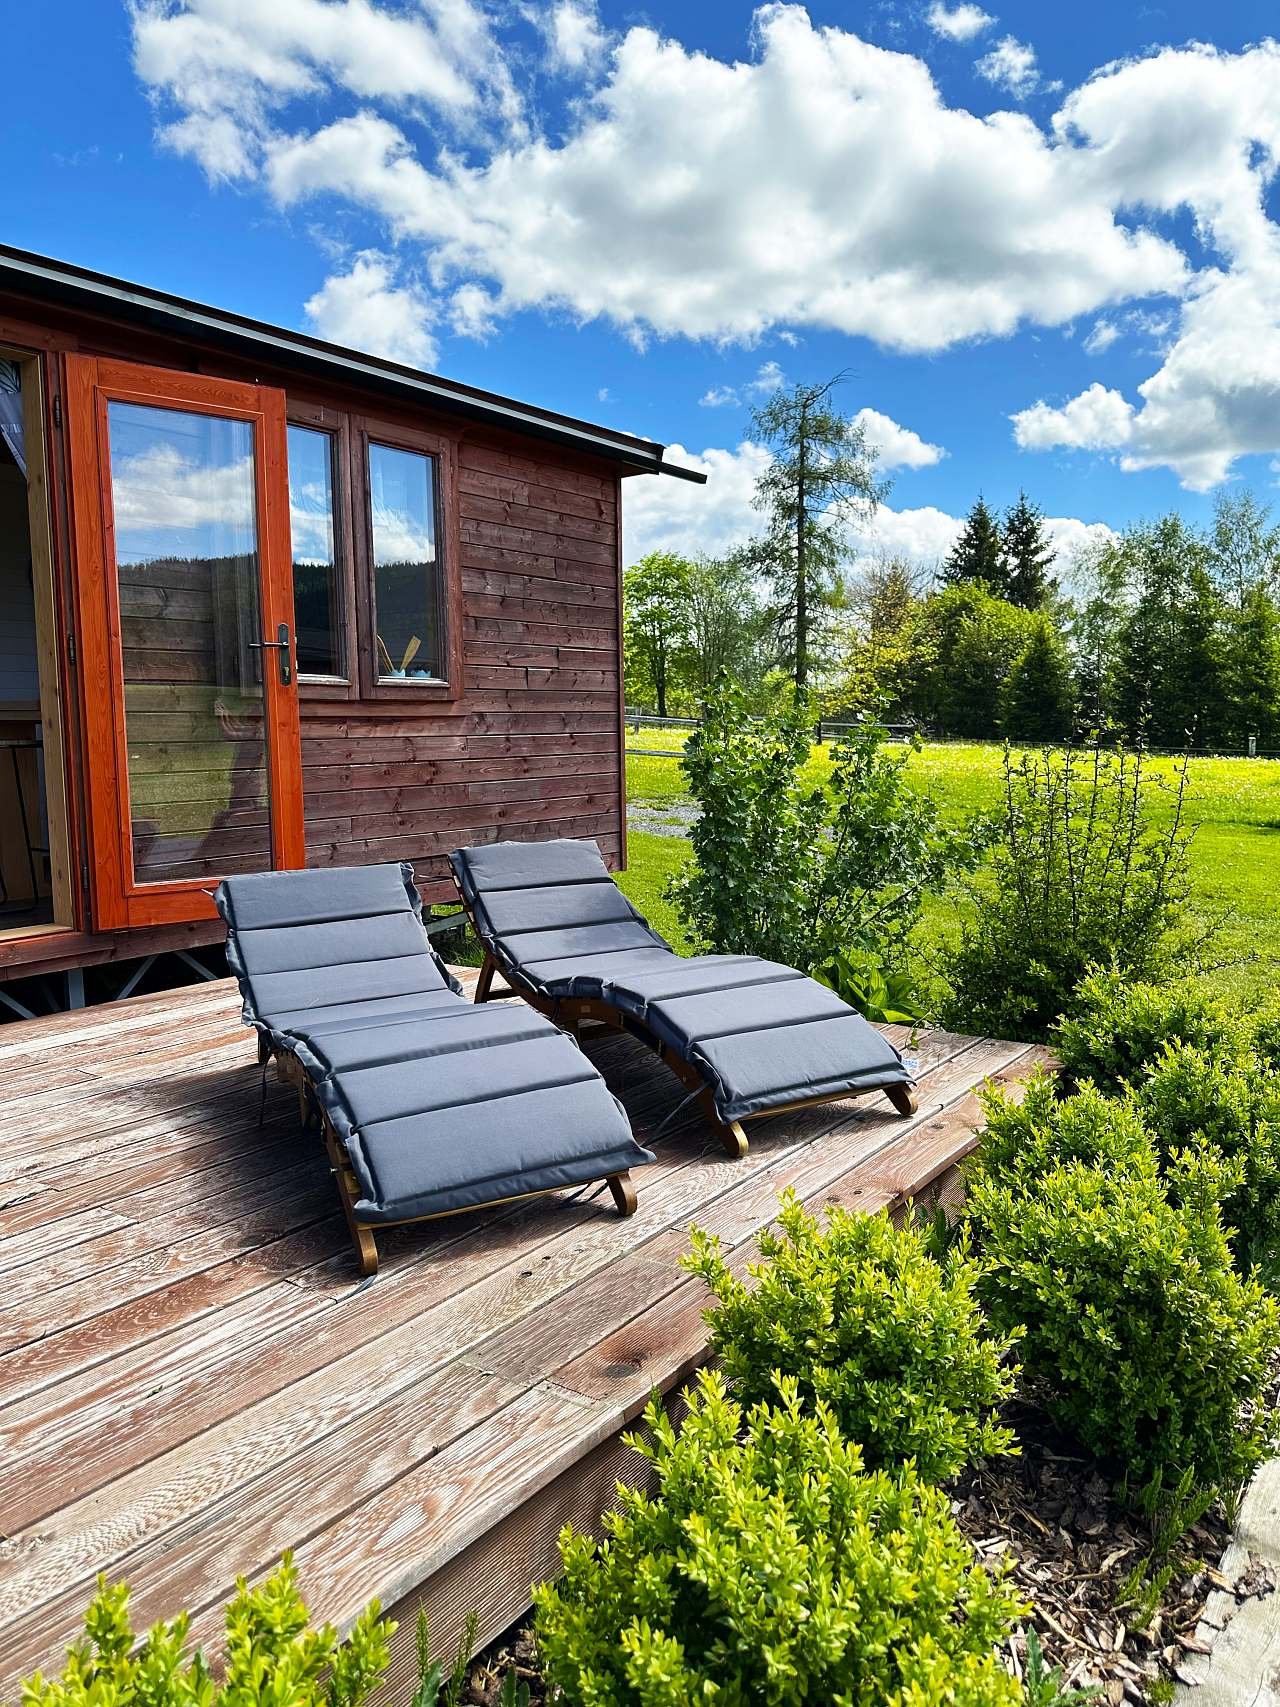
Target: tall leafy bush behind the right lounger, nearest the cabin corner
(803, 871)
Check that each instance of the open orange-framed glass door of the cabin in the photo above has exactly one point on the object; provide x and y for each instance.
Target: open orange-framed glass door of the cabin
(180, 503)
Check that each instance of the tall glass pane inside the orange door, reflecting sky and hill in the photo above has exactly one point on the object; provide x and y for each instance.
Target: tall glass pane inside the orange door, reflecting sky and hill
(187, 568)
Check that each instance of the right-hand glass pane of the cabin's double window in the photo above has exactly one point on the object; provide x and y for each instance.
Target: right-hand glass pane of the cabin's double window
(402, 499)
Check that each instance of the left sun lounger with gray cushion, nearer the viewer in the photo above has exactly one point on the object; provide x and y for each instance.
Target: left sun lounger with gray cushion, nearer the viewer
(428, 1104)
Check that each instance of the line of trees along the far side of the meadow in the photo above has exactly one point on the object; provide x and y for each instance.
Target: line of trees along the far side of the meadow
(1168, 634)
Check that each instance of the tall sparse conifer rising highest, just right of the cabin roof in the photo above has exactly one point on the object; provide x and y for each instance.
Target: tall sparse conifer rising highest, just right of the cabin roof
(822, 477)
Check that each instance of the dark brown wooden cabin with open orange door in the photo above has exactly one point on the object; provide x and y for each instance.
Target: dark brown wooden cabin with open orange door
(267, 603)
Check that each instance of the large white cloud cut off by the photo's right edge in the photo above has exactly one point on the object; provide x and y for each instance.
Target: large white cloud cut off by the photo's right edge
(1216, 395)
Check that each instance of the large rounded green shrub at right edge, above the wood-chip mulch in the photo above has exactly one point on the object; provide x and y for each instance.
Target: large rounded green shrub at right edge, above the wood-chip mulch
(1141, 1336)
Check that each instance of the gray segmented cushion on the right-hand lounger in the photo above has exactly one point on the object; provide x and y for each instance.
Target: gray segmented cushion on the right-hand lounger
(760, 1034)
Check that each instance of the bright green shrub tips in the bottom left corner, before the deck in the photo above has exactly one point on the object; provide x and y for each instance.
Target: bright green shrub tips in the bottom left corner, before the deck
(272, 1657)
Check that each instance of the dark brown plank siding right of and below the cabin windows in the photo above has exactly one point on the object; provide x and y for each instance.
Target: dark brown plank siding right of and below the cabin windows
(533, 743)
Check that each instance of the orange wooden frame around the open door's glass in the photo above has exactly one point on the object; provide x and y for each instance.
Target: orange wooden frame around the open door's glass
(119, 900)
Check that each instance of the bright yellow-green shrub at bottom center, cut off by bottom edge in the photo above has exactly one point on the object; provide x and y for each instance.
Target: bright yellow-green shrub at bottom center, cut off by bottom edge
(767, 1570)
